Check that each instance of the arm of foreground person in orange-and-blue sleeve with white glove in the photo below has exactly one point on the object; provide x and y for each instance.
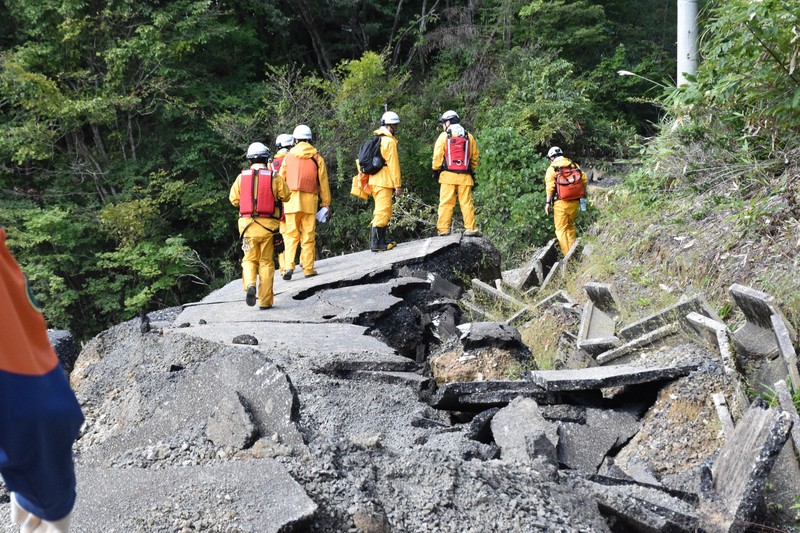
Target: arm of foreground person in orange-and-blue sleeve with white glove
(39, 415)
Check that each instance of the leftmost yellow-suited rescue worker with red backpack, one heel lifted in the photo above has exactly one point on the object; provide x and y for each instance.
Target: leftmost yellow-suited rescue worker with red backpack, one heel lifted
(260, 195)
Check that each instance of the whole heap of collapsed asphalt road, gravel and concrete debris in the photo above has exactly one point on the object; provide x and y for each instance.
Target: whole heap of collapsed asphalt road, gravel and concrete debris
(375, 397)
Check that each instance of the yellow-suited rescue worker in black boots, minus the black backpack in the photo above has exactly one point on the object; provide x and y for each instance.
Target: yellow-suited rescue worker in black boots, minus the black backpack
(385, 182)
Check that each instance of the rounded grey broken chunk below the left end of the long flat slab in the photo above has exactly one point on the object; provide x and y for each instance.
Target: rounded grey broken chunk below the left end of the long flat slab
(514, 425)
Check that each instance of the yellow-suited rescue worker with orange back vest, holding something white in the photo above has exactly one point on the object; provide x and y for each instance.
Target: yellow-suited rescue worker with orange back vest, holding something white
(307, 177)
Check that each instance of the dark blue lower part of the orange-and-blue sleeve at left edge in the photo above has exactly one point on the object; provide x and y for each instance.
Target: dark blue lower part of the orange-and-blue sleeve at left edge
(39, 420)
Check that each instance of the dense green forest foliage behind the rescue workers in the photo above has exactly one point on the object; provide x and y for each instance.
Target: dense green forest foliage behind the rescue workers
(124, 123)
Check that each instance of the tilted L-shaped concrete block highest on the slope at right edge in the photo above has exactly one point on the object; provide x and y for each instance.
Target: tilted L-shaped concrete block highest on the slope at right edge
(756, 337)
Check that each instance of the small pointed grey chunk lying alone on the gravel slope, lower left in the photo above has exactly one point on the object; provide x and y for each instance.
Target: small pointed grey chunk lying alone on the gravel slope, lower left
(231, 424)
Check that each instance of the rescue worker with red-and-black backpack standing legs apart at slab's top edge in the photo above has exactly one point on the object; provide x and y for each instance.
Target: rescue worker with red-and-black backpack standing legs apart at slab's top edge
(455, 159)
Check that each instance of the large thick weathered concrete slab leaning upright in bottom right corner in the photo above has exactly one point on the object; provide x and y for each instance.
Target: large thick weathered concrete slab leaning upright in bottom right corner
(740, 472)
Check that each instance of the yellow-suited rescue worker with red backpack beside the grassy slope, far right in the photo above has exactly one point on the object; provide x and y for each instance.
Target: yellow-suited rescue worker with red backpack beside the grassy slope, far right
(565, 185)
